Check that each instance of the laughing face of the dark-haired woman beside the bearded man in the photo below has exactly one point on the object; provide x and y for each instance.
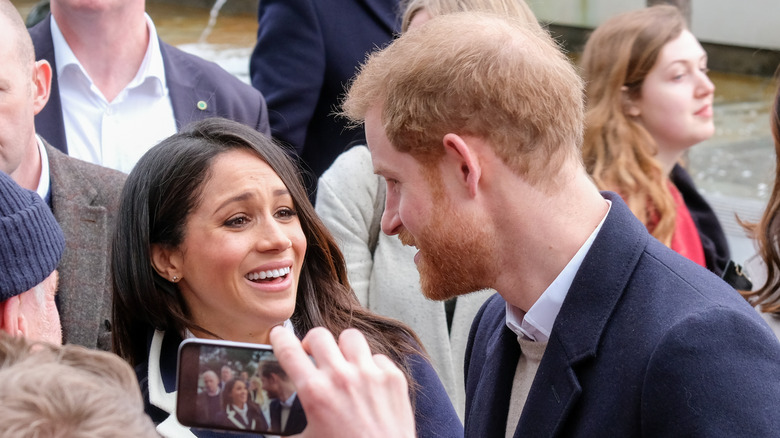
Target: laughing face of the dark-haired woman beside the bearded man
(242, 252)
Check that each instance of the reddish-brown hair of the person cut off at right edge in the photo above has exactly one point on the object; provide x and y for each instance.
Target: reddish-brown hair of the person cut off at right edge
(767, 230)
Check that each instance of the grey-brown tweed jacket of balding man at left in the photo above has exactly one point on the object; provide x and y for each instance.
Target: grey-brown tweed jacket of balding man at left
(85, 201)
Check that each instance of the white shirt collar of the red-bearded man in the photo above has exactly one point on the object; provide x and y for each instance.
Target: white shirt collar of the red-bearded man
(537, 323)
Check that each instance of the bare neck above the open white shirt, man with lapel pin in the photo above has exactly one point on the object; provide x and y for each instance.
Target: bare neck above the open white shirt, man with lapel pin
(109, 44)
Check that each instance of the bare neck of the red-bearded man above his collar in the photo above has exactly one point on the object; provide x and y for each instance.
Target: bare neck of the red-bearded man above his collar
(547, 231)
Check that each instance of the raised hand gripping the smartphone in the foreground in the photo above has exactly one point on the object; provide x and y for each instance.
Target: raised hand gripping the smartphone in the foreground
(347, 392)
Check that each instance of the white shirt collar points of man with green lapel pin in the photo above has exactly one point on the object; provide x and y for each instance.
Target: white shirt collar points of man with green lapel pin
(152, 65)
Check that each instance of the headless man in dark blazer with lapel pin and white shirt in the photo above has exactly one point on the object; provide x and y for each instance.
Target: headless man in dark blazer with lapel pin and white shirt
(118, 90)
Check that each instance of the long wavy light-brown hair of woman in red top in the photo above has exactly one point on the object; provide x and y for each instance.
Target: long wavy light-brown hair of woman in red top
(618, 151)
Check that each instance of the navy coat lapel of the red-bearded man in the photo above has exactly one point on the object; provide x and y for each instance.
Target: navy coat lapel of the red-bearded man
(585, 314)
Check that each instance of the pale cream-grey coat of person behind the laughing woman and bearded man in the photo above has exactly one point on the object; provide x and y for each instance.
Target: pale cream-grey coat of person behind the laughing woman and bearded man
(350, 201)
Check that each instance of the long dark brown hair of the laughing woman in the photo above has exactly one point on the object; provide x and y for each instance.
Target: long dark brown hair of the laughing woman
(161, 191)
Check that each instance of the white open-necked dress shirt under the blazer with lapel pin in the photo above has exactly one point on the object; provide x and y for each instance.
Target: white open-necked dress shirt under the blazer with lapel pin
(113, 134)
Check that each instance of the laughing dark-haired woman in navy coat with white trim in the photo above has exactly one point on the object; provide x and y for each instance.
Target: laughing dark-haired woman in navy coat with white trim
(217, 239)
